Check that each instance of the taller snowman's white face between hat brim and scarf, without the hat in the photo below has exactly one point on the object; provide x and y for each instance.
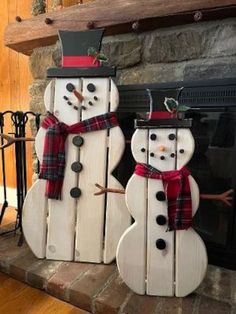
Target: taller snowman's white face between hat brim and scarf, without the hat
(99, 95)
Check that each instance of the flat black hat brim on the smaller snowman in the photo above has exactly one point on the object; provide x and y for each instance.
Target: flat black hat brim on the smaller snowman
(163, 123)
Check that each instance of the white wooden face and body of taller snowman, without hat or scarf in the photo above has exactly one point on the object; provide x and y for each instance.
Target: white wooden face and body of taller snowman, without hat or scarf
(81, 228)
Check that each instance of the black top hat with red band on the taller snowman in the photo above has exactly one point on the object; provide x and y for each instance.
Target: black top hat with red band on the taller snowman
(76, 60)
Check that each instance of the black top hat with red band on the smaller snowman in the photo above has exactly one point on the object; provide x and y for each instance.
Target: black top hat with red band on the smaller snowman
(159, 116)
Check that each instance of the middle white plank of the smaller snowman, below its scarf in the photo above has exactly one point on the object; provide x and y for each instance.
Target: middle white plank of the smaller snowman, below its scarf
(160, 263)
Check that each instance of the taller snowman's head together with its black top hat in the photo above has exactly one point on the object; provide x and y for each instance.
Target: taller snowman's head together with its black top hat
(82, 85)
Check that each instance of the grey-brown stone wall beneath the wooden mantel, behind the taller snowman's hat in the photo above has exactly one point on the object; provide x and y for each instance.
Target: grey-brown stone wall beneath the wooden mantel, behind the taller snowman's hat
(205, 50)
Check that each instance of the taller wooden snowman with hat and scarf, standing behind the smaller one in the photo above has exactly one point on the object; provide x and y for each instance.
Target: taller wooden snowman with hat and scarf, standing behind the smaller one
(78, 144)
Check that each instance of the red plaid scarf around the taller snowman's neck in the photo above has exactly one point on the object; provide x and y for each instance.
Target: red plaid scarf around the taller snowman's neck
(53, 165)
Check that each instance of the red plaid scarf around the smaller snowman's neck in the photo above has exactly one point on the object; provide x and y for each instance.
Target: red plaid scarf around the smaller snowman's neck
(178, 194)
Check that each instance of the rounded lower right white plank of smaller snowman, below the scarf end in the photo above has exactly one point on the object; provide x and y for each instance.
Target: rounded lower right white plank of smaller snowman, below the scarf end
(191, 262)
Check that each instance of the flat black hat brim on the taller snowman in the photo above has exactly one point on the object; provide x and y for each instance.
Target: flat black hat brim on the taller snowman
(102, 71)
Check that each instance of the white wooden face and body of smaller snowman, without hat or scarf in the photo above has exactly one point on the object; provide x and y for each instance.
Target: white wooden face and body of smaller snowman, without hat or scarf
(179, 268)
